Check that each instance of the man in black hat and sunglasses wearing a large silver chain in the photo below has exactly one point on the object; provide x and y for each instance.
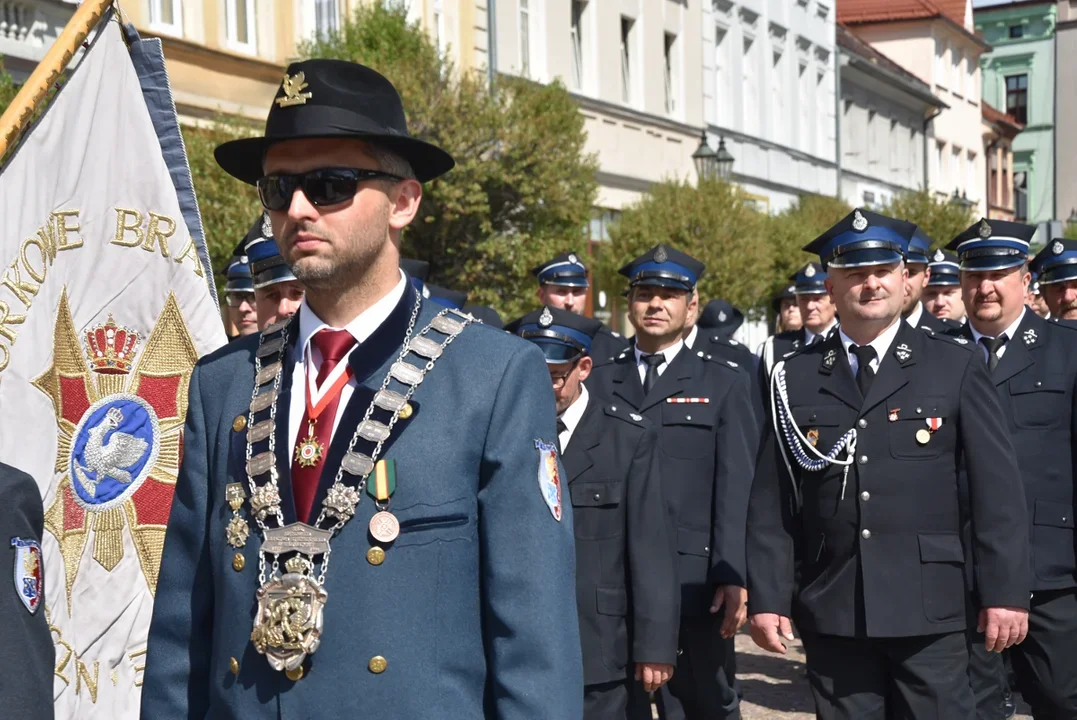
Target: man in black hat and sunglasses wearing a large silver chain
(414, 445)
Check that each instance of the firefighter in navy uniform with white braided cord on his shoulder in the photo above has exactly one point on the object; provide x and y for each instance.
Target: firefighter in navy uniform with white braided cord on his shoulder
(855, 523)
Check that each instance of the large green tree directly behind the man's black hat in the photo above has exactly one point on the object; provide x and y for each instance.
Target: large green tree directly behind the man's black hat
(523, 189)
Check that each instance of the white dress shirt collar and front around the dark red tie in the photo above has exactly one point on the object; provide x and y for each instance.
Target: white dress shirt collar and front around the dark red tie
(310, 359)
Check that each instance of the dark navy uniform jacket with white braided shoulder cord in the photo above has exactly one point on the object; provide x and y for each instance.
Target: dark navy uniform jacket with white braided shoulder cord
(883, 557)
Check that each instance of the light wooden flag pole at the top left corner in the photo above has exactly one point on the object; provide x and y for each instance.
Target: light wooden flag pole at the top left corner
(21, 110)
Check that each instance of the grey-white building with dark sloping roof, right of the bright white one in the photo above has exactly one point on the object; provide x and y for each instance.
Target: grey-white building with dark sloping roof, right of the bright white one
(886, 111)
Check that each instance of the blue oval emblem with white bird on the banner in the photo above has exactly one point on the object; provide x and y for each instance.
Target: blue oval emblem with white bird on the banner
(114, 451)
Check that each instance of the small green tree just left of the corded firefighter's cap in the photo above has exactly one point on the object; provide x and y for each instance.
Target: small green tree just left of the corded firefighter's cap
(795, 228)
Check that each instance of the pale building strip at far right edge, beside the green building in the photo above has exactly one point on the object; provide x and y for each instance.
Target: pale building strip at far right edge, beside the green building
(1066, 98)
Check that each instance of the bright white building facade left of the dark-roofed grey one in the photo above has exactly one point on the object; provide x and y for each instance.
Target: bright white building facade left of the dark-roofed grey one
(770, 91)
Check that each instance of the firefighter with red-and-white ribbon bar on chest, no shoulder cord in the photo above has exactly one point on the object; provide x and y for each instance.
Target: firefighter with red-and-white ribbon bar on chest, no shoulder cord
(708, 455)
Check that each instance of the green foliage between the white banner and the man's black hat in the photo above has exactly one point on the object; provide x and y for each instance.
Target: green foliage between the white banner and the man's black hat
(228, 206)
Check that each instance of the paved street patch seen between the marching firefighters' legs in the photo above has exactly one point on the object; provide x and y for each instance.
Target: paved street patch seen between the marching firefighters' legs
(776, 687)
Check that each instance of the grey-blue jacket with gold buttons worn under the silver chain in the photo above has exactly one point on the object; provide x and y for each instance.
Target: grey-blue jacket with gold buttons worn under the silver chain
(473, 609)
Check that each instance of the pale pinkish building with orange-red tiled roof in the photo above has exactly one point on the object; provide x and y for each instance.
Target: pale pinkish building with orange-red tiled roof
(938, 45)
